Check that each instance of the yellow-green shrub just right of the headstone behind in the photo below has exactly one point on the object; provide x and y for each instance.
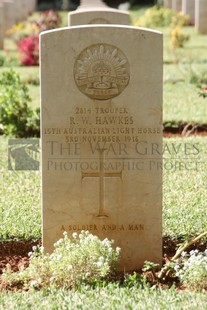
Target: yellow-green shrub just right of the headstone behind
(158, 16)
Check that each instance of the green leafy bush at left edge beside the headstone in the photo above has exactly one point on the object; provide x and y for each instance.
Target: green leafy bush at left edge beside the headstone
(16, 118)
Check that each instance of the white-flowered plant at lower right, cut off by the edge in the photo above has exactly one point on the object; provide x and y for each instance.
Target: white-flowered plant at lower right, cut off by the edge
(192, 271)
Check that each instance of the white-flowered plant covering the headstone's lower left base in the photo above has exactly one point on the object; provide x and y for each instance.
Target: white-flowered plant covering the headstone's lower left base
(81, 259)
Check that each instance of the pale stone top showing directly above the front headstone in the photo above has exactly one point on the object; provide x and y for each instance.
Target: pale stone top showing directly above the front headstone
(97, 12)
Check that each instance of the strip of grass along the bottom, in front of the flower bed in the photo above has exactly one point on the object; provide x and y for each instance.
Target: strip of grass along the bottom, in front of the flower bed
(110, 297)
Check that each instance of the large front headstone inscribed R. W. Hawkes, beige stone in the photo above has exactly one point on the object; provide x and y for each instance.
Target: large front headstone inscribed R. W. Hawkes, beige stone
(101, 129)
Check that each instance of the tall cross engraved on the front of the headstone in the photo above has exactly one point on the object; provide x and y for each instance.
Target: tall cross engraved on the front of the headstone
(101, 174)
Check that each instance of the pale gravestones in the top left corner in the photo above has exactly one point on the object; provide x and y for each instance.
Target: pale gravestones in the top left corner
(13, 11)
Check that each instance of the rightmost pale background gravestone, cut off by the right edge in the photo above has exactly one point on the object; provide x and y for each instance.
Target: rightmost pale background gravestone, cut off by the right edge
(201, 16)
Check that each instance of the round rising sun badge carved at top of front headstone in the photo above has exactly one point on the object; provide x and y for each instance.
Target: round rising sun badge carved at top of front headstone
(101, 71)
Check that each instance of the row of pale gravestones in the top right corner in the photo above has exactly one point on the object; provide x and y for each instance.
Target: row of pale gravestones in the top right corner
(196, 9)
